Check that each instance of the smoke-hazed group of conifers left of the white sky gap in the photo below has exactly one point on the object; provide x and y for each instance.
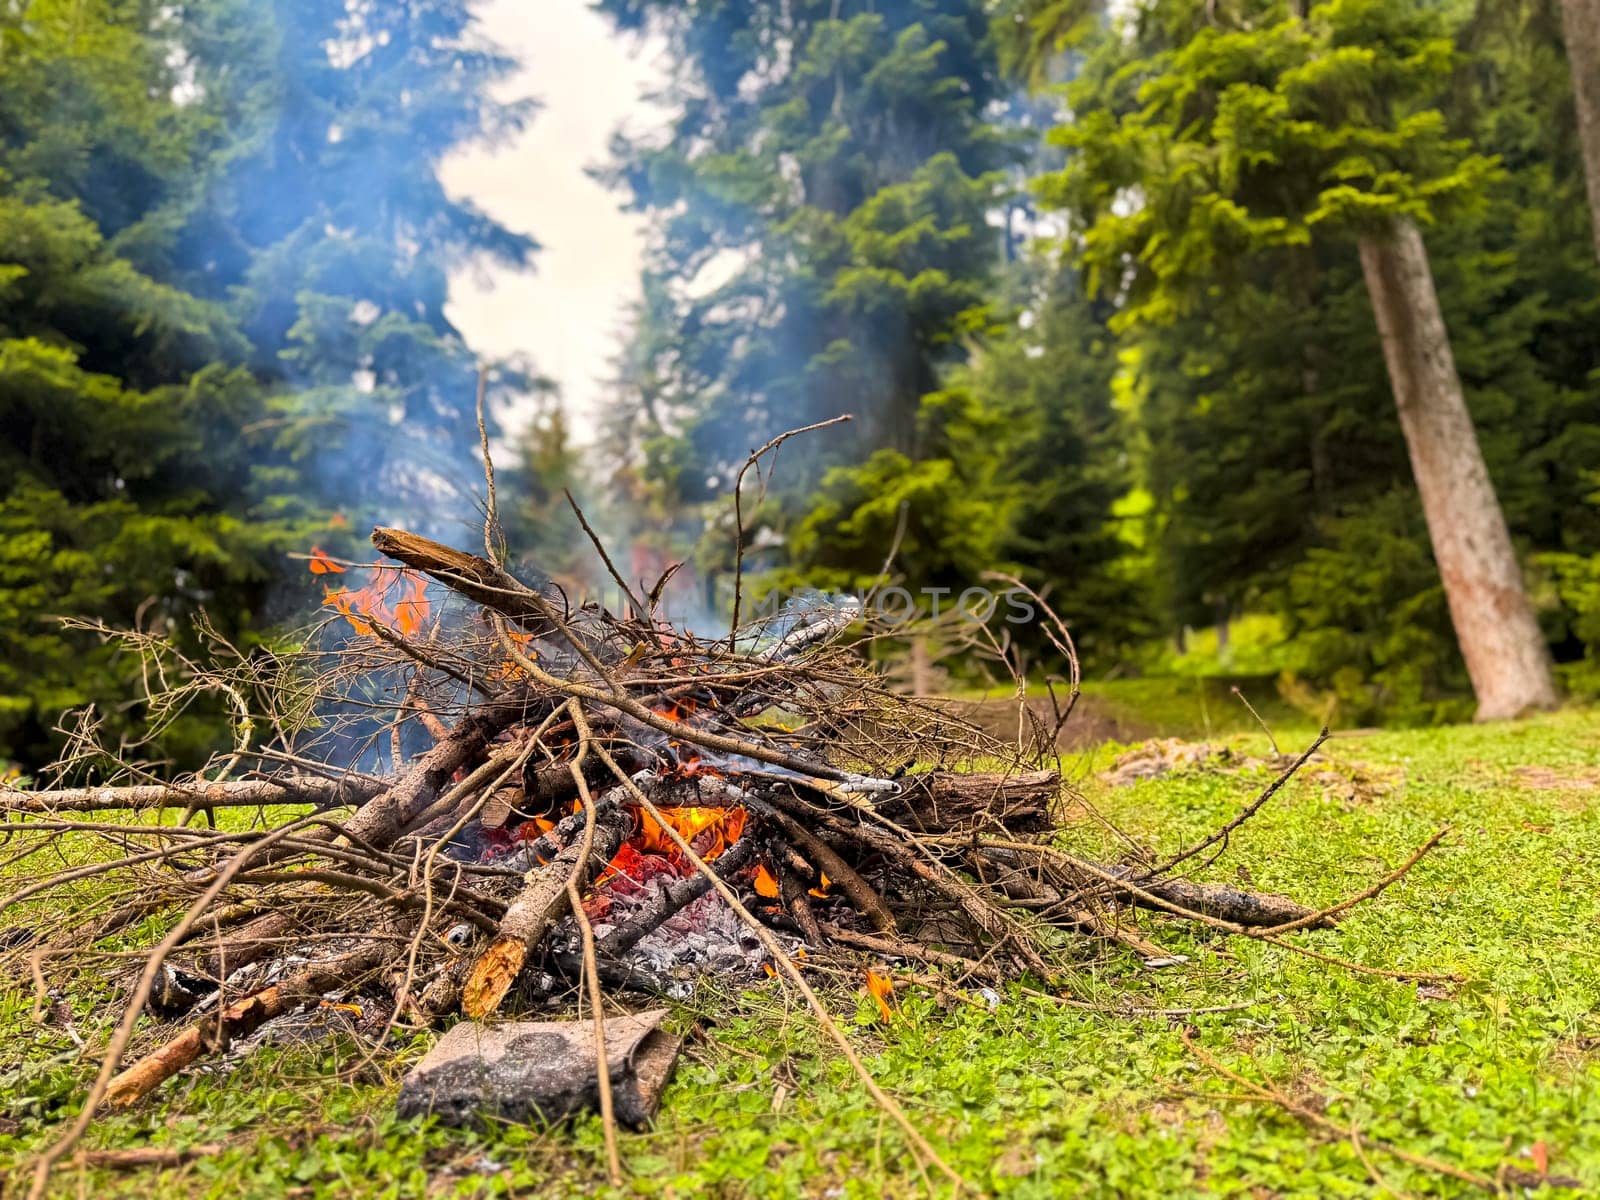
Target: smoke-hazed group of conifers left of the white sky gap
(223, 266)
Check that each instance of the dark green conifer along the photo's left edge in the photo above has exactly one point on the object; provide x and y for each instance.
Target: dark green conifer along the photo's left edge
(124, 481)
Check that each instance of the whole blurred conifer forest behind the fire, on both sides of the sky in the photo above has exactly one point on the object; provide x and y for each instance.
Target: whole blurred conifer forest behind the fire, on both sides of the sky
(1090, 278)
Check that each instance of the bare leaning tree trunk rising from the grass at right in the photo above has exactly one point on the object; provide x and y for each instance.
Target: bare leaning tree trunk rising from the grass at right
(1489, 606)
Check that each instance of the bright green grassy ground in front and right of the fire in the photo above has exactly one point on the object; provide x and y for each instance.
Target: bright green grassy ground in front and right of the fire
(1039, 1100)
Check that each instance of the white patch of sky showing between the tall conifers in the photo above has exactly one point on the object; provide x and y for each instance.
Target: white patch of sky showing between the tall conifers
(567, 313)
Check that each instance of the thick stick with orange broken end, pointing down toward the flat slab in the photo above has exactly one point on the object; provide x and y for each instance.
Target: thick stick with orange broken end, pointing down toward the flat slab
(542, 903)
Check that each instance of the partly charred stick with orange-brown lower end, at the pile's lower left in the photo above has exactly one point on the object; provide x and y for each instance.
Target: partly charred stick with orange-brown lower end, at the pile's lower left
(215, 1034)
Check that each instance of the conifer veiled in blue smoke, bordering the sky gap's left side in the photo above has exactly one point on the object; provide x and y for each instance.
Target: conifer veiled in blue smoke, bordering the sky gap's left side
(326, 225)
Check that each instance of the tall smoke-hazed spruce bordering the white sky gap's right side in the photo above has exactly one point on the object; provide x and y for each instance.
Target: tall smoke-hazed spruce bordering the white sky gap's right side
(820, 239)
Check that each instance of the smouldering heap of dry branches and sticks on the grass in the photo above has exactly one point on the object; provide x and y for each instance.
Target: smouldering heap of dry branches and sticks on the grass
(438, 838)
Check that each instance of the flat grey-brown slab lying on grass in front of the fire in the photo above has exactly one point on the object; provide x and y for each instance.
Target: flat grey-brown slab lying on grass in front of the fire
(542, 1071)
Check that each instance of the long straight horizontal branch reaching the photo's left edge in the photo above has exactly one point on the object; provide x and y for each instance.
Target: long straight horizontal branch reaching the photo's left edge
(238, 794)
